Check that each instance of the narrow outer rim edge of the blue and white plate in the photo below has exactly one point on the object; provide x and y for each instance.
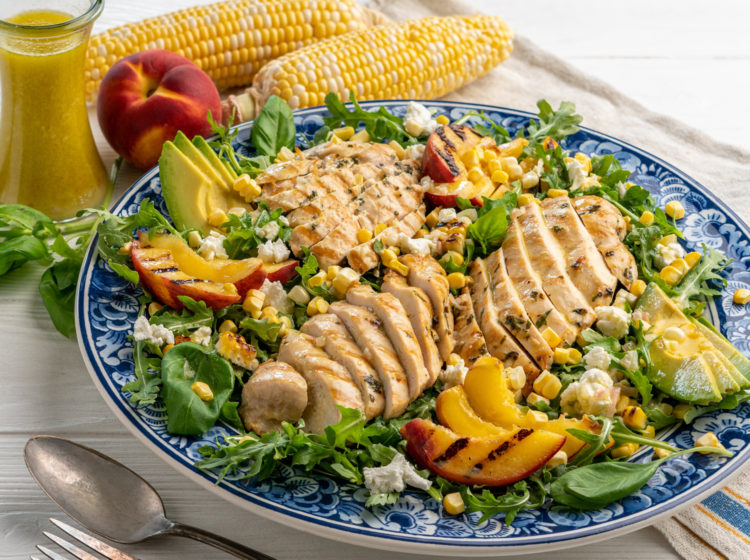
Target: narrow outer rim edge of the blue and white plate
(402, 542)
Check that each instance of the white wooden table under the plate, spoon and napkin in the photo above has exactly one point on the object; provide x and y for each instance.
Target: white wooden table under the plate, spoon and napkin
(688, 59)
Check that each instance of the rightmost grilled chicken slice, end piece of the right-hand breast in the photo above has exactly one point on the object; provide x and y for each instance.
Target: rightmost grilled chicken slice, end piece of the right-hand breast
(608, 228)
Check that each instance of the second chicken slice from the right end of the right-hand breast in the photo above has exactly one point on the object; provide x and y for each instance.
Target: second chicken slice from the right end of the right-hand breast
(586, 267)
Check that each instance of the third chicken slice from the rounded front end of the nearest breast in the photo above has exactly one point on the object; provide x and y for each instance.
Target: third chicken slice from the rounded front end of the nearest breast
(338, 343)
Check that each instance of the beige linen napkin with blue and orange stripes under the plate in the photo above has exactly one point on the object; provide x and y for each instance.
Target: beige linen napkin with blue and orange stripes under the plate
(703, 531)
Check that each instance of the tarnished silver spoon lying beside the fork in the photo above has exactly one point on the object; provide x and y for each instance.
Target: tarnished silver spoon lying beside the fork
(108, 498)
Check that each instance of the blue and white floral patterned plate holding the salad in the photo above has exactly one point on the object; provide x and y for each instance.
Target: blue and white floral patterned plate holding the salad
(107, 306)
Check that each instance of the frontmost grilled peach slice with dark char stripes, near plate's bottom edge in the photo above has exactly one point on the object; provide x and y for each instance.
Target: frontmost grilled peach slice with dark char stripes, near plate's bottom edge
(489, 461)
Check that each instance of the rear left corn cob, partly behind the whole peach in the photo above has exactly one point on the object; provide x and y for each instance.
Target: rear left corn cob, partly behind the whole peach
(229, 40)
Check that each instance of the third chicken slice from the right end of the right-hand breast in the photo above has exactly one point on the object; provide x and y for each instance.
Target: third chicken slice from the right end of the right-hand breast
(549, 262)
